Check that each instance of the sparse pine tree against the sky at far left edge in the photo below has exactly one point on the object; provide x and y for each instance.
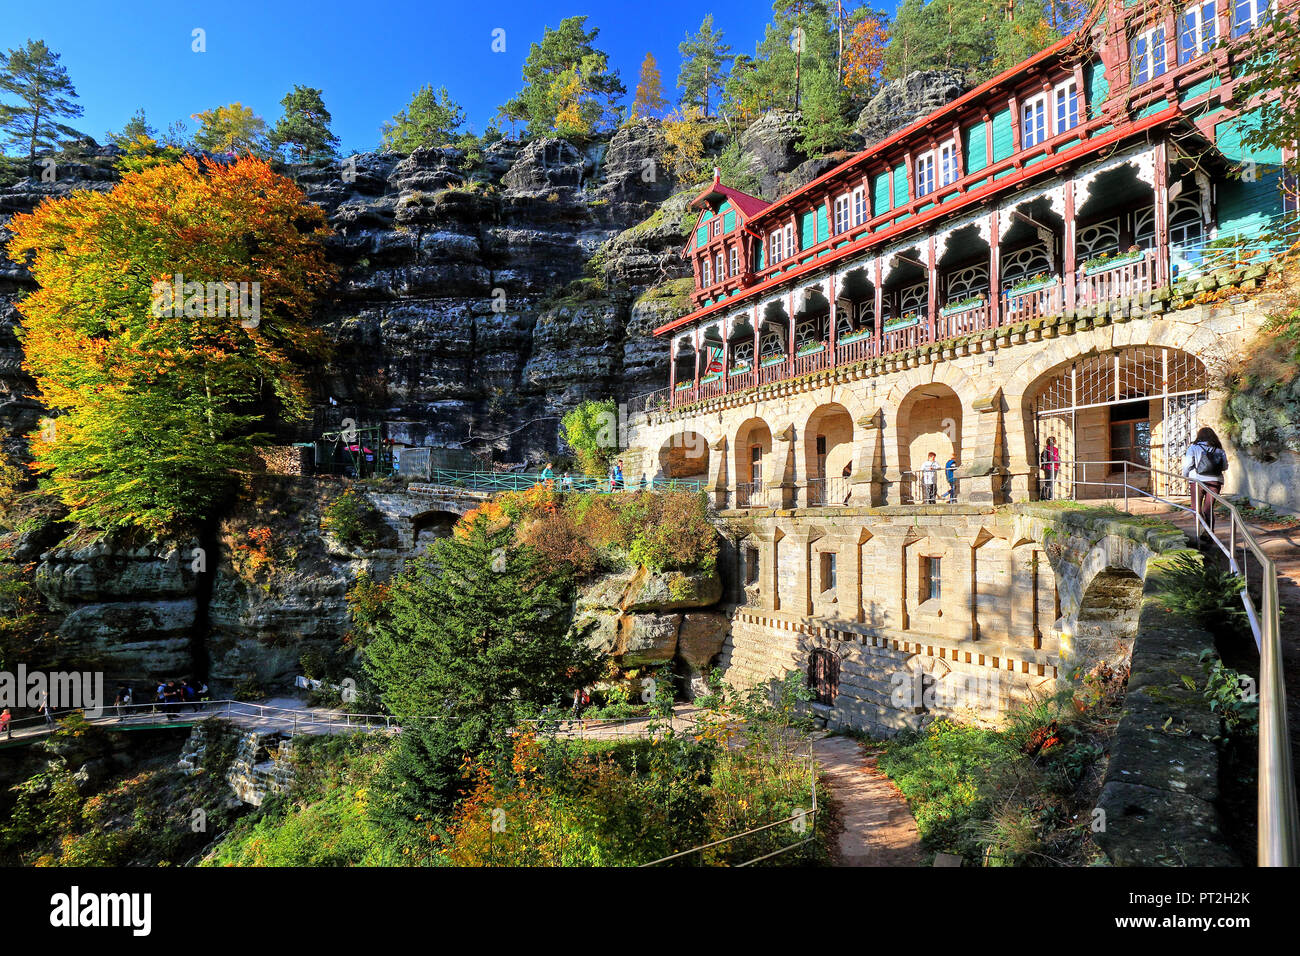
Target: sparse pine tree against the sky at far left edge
(34, 76)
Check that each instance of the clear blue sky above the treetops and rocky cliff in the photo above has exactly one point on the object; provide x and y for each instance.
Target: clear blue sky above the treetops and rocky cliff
(369, 57)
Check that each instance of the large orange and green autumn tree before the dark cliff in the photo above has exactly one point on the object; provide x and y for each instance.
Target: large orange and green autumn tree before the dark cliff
(171, 315)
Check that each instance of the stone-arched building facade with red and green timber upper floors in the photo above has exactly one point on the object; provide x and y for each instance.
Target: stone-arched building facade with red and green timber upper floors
(1060, 259)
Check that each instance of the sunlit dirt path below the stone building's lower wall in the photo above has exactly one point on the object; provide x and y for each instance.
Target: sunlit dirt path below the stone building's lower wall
(878, 827)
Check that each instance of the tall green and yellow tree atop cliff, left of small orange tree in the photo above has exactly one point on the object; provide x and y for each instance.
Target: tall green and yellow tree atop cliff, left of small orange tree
(567, 73)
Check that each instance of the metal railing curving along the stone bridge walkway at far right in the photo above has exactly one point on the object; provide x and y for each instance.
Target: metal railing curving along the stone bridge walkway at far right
(1279, 825)
